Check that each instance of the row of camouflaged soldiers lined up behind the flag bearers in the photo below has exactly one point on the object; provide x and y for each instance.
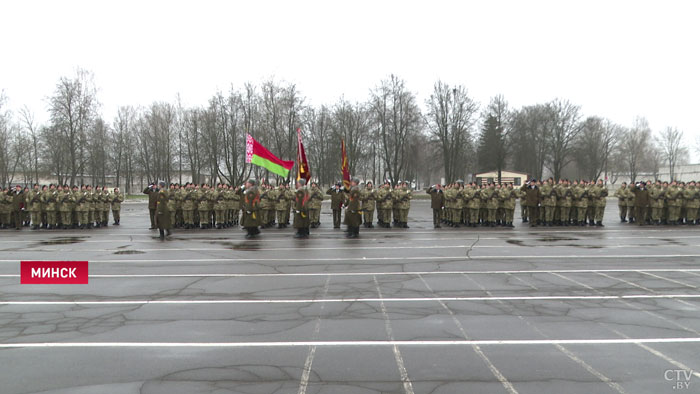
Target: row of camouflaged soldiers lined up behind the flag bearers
(201, 206)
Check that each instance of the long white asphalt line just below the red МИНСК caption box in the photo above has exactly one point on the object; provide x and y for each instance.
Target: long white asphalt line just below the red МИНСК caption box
(369, 299)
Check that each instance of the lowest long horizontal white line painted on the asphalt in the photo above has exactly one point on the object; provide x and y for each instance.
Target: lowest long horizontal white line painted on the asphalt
(486, 342)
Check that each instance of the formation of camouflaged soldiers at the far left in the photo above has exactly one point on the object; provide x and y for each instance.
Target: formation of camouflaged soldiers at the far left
(59, 207)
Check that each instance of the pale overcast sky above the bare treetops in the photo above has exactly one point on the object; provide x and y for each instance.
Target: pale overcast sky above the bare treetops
(617, 59)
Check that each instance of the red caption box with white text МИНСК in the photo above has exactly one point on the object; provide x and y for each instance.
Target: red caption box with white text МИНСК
(54, 273)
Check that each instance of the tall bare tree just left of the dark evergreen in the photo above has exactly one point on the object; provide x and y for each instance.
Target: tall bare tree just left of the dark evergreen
(450, 119)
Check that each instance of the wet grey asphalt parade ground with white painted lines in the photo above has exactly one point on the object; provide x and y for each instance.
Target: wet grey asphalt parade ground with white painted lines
(524, 310)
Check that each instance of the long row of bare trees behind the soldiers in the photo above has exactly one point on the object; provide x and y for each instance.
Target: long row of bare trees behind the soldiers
(388, 136)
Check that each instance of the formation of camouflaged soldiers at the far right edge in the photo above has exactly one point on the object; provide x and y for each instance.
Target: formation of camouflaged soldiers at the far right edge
(659, 203)
